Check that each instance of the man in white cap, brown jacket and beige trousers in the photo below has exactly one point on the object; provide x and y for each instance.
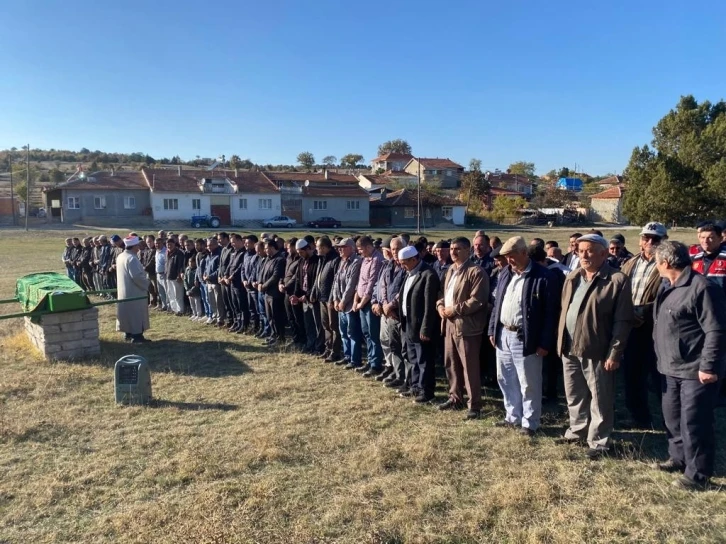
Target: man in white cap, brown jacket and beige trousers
(595, 321)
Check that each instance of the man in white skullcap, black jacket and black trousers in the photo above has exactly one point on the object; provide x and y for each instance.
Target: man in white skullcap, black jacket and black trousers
(420, 323)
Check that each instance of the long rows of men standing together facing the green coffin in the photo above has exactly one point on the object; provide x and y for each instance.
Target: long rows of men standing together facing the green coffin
(391, 309)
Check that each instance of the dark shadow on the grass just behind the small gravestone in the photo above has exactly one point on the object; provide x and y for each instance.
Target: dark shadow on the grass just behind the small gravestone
(210, 359)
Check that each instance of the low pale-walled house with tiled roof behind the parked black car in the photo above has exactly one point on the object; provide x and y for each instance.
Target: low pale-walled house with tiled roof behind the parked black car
(308, 196)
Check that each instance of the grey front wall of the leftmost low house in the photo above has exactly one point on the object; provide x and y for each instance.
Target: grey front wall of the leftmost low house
(114, 210)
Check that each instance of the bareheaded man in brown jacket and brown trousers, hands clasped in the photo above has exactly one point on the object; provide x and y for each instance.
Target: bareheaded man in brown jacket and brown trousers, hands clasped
(463, 310)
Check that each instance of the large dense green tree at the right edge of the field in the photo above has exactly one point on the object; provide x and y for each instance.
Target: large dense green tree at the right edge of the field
(682, 178)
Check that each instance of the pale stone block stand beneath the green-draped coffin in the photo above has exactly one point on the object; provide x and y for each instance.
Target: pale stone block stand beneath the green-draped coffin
(65, 335)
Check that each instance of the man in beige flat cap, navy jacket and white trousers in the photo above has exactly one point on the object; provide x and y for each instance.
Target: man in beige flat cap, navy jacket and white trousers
(522, 329)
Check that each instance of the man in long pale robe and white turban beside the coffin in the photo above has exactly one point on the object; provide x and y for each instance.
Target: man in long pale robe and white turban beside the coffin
(132, 318)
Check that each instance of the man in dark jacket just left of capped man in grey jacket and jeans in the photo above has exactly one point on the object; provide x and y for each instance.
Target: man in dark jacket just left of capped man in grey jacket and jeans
(328, 261)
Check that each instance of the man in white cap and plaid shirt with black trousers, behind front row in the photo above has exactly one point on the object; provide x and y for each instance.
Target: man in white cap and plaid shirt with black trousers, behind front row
(639, 358)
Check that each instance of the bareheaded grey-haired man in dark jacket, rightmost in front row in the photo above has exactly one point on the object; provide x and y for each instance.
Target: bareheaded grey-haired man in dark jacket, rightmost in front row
(692, 361)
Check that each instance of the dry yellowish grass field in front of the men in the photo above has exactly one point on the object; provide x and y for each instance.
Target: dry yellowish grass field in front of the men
(246, 445)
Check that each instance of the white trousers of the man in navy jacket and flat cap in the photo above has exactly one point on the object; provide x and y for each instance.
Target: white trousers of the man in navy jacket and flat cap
(520, 379)
